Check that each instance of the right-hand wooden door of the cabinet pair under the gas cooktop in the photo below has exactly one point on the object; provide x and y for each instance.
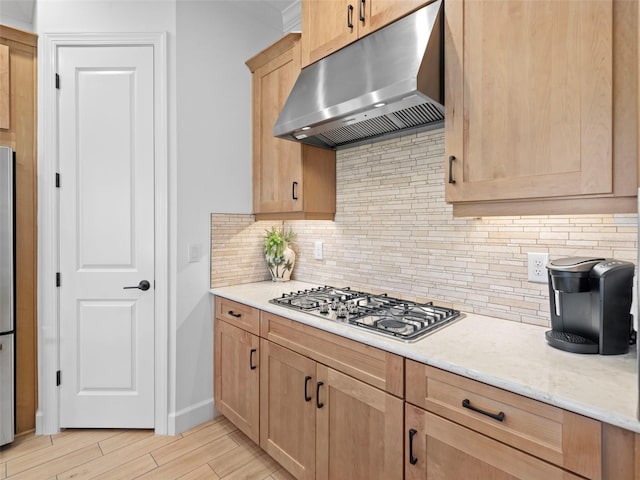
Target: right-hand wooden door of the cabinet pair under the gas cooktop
(359, 429)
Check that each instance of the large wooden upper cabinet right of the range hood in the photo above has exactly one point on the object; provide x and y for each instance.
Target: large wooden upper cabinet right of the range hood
(541, 106)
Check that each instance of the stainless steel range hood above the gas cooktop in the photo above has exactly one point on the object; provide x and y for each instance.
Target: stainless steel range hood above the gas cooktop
(386, 84)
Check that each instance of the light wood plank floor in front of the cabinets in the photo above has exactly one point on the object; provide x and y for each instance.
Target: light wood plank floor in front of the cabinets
(213, 450)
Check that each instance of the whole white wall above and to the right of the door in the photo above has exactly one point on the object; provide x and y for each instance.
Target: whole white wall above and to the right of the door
(209, 151)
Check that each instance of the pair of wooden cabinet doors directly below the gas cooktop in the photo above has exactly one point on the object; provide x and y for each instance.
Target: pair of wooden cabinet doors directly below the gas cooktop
(320, 423)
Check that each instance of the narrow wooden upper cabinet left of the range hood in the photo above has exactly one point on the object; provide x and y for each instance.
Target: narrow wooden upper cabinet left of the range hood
(290, 180)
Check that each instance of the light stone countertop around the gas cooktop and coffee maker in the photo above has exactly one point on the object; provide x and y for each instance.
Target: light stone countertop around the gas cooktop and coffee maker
(502, 353)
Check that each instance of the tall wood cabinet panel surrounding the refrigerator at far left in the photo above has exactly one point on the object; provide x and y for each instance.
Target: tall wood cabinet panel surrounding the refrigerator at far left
(18, 131)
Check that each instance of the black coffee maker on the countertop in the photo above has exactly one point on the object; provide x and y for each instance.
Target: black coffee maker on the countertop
(590, 299)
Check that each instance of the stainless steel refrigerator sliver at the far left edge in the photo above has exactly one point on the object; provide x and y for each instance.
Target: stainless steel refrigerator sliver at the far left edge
(7, 308)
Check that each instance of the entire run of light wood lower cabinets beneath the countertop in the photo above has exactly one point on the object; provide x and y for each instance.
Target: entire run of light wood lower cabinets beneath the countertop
(329, 408)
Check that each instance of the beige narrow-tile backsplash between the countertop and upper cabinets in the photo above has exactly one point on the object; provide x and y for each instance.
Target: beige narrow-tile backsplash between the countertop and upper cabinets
(393, 232)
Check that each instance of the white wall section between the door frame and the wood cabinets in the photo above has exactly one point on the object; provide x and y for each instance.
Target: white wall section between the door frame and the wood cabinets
(214, 167)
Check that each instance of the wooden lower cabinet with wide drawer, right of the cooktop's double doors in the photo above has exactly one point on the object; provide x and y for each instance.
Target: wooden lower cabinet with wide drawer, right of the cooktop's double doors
(465, 424)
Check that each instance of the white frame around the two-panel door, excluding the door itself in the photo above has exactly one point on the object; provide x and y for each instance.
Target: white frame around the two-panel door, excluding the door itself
(47, 416)
